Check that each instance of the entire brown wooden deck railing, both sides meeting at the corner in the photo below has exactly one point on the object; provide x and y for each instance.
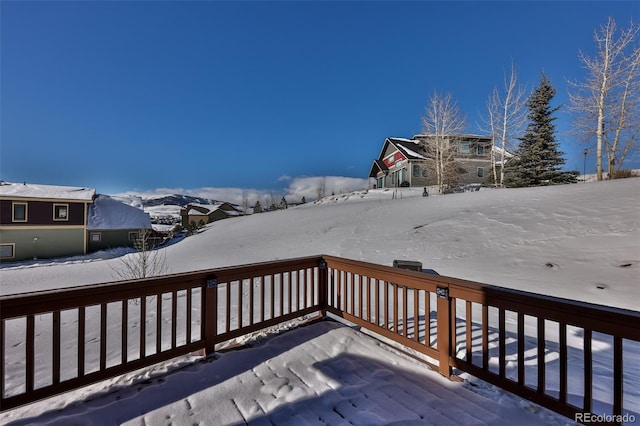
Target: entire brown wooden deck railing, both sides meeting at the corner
(55, 341)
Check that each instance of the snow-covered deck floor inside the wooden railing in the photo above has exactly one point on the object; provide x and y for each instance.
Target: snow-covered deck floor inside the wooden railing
(323, 373)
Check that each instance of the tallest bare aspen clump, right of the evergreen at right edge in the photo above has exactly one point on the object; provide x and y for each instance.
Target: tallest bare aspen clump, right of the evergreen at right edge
(607, 104)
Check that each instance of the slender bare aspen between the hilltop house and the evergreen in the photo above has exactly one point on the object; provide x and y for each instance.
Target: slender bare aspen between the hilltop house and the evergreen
(506, 116)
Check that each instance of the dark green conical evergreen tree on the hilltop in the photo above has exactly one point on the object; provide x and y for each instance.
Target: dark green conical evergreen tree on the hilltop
(538, 158)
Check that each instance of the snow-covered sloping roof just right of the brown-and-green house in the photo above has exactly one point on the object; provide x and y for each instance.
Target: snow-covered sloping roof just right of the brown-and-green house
(107, 213)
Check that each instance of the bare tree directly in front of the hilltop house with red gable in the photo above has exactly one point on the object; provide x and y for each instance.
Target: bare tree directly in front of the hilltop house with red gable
(442, 119)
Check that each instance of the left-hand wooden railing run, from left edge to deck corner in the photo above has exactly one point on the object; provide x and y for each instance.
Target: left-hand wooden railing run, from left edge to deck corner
(55, 341)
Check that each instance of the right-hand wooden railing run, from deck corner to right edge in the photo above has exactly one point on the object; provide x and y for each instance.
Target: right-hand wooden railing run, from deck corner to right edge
(463, 325)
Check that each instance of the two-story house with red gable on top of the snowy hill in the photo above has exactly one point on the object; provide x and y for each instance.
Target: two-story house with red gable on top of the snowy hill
(411, 162)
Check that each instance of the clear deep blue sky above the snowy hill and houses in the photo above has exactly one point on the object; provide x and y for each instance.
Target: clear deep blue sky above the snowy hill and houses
(141, 95)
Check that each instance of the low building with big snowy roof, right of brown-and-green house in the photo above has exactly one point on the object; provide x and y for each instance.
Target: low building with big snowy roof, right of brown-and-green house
(114, 223)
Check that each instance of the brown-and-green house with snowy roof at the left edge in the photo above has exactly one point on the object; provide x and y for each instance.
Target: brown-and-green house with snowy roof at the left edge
(43, 221)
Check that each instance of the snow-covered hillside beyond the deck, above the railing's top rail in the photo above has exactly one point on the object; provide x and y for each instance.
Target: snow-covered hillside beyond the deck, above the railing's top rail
(576, 241)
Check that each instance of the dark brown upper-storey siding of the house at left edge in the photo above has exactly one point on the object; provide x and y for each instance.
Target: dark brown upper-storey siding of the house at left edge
(41, 213)
